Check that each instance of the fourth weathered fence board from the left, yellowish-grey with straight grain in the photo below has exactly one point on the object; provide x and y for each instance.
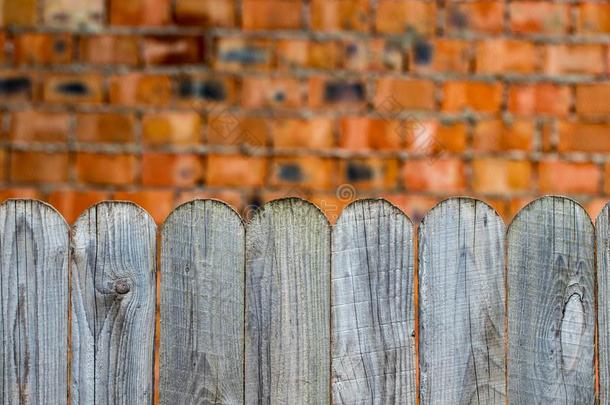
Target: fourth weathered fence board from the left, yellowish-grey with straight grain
(287, 305)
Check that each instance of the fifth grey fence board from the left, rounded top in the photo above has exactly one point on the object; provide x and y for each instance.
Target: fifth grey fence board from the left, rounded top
(373, 321)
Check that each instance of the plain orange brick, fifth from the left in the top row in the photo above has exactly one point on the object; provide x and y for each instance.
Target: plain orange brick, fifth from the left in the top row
(265, 14)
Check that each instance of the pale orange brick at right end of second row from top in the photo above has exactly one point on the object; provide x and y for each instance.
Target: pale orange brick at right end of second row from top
(566, 59)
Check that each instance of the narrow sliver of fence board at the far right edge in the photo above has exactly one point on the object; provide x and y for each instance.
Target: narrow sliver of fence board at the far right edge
(602, 229)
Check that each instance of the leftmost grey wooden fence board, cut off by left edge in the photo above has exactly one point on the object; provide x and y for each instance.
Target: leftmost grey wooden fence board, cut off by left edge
(34, 242)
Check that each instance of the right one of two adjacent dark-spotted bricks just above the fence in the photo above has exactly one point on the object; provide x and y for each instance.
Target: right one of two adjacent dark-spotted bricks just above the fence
(369, 174)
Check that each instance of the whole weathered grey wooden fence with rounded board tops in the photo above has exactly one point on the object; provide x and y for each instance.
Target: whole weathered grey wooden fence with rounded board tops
(286, 310)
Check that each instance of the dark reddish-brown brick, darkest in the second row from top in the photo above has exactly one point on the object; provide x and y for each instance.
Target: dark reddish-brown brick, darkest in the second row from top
(172, 50)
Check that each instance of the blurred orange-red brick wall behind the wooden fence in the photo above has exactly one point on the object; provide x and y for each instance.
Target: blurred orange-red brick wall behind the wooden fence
(162, 101)
